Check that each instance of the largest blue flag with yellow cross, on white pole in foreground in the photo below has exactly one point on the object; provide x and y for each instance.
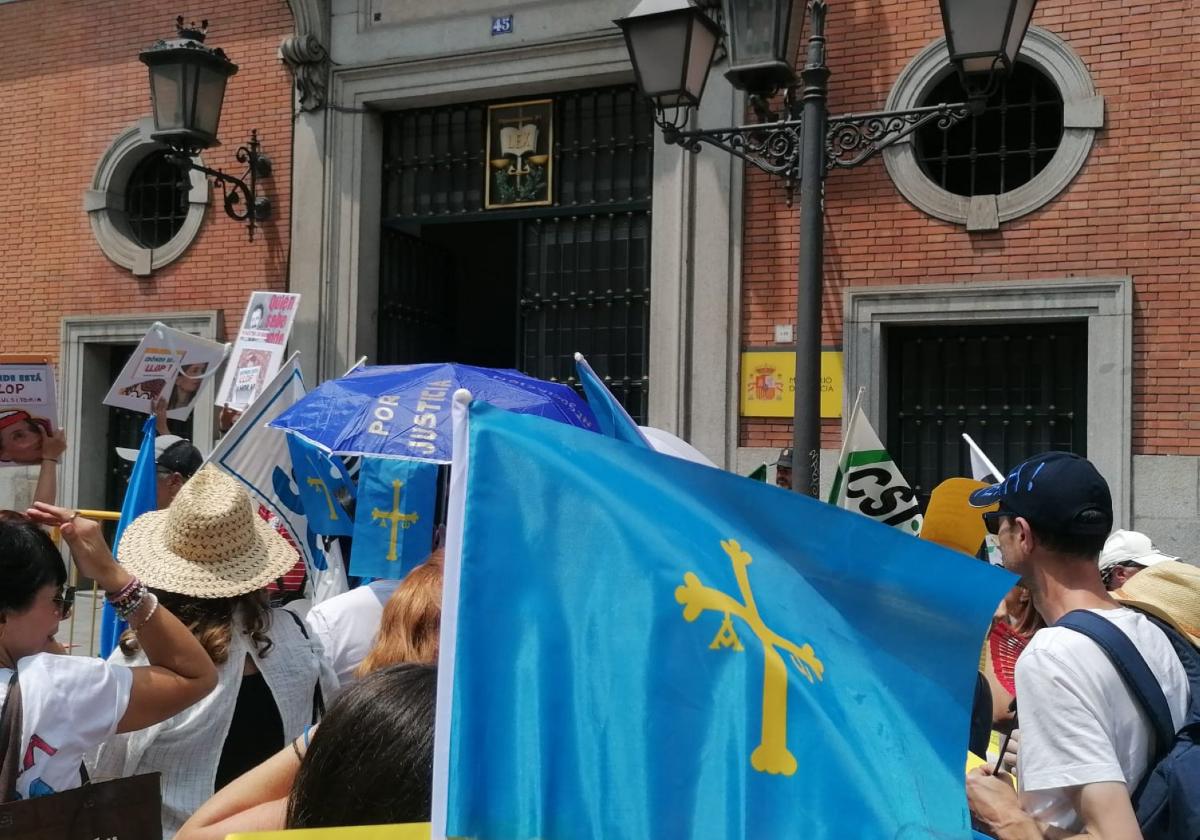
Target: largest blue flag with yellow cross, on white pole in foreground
(634, 646)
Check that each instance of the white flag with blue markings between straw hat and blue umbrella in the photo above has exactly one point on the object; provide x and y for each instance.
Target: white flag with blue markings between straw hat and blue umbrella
(259, 458)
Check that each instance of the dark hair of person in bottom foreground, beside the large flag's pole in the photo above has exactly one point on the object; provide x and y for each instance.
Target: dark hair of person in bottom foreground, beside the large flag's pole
(371, 763)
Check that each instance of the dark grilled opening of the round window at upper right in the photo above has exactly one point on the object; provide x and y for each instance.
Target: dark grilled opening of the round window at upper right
(1001, 149)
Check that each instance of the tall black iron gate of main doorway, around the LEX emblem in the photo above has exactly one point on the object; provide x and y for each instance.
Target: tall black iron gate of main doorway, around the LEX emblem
(579, 271)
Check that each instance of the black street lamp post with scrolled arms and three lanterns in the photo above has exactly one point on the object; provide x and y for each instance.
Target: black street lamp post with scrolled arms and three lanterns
(802, 143)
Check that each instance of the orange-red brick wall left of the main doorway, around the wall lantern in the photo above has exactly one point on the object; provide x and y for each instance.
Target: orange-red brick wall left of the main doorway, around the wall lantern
(70, 83)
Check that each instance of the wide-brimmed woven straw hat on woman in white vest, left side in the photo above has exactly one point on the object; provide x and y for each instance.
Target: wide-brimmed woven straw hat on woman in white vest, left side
(208, 544)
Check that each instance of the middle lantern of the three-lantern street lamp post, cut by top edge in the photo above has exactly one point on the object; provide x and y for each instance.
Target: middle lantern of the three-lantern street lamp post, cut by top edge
(761, 45)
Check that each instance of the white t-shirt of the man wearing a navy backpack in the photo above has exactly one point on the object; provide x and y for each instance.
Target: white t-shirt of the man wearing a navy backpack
(1079, 722)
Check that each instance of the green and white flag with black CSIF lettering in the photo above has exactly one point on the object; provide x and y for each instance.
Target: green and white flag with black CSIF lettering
(868, 481)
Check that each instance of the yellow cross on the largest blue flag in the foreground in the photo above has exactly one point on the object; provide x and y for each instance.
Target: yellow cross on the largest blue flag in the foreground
(772, 754)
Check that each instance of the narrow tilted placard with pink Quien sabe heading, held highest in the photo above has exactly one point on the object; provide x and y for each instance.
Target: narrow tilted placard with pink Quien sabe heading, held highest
(259, 351)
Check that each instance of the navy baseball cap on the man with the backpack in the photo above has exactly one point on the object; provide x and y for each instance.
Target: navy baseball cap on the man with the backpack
(1054, 491)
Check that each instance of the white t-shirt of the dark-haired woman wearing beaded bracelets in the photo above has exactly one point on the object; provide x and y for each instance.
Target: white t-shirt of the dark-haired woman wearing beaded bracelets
(69, 705)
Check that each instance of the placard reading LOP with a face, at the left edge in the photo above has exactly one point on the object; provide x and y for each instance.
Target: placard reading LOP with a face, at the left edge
(28, 409)
